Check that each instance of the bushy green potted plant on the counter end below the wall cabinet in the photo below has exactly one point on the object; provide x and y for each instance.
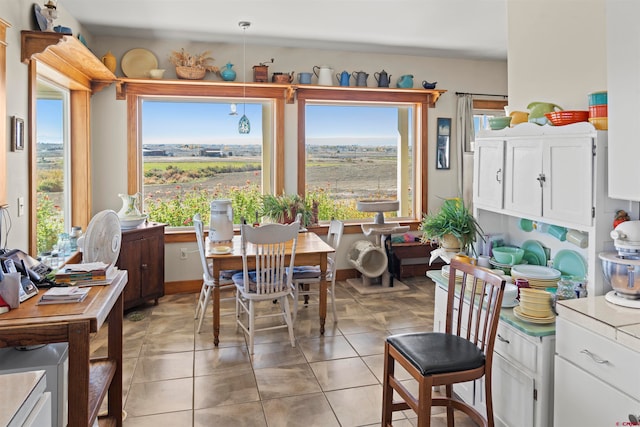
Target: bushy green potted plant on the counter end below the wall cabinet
(453, 226)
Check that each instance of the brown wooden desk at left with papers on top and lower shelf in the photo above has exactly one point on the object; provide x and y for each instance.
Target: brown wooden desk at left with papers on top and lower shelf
(89, 379)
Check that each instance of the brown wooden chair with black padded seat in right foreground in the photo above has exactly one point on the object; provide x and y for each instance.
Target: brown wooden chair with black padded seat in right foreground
(463, 352)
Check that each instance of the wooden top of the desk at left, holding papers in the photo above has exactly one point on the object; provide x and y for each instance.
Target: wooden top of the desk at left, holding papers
(95, 308)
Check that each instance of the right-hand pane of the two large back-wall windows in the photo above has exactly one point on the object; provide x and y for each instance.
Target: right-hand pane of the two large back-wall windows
(356, 152)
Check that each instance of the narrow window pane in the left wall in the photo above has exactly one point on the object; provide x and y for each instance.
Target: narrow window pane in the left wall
(52, 177)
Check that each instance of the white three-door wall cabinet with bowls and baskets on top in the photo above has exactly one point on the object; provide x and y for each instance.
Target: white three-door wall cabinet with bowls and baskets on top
(548, 173)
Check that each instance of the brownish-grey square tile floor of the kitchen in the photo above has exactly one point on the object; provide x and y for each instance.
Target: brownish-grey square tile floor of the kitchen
(175, 376)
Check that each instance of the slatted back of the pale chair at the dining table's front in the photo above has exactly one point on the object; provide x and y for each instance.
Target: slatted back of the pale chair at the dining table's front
(267, 245)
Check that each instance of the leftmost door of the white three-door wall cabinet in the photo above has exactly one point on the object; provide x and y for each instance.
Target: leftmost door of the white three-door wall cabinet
(488, 185)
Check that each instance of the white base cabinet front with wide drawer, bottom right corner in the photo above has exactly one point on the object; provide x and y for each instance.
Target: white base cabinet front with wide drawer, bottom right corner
(597, 381)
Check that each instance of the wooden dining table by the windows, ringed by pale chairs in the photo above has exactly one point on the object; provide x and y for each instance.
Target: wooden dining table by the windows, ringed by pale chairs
(311, 250)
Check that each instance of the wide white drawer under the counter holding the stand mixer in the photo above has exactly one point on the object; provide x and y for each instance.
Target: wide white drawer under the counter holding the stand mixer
(600, 356)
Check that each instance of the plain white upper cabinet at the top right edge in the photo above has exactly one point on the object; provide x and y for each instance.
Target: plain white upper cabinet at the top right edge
(623, 71)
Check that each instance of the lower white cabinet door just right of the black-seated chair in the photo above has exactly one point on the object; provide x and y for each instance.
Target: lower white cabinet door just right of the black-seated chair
(512, 390)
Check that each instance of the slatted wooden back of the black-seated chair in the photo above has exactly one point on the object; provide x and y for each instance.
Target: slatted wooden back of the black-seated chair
(473, 306)
